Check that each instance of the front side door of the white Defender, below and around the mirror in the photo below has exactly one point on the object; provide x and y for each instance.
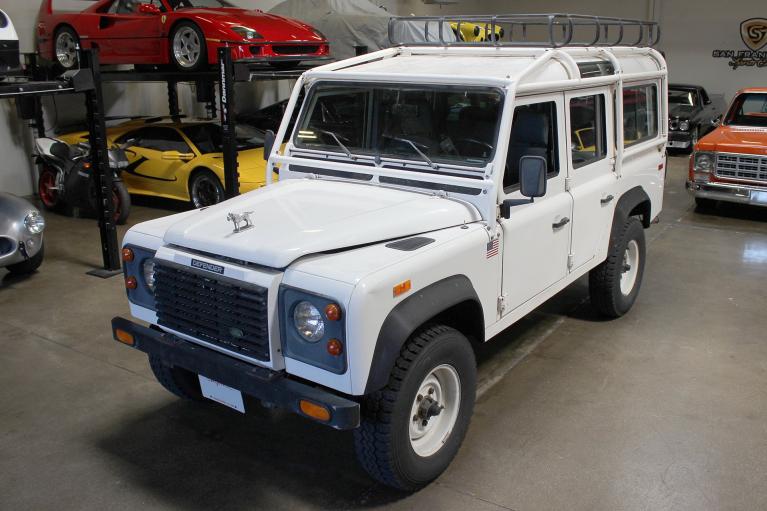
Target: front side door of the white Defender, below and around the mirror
(536, 237)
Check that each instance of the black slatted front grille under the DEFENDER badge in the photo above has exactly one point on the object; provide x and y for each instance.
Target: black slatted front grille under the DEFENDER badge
(213, 308)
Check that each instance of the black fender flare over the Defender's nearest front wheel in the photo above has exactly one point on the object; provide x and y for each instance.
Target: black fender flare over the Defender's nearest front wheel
(410, 314)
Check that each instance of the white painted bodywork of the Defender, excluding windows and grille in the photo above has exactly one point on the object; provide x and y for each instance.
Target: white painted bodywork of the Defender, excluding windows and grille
(328, 235)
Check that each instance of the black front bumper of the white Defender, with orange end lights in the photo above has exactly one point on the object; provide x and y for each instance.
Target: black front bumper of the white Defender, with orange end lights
(271, 387)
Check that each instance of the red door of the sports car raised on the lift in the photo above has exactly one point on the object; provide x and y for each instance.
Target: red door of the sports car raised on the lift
(124, 34)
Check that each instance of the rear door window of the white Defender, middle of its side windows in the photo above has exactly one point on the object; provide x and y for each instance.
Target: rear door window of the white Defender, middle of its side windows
(587, 129)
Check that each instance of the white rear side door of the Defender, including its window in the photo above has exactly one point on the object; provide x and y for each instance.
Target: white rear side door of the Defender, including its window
(591, 162)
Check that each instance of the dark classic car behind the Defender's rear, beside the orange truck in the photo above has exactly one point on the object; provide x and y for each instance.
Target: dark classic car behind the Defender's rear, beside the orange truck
(691, 114)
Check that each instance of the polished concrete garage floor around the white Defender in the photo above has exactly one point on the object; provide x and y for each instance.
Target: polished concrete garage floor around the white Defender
(665, 408)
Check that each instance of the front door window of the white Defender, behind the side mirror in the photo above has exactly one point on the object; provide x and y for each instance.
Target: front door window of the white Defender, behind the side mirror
(533, 133)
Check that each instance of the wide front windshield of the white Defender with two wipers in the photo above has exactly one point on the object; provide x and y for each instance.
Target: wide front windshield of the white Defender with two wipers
(439, 124)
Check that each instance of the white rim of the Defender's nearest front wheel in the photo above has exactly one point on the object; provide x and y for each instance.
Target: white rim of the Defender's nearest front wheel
(434, 410)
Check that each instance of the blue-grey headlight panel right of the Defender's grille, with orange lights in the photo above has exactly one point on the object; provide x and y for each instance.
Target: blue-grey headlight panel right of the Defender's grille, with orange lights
(312, 329)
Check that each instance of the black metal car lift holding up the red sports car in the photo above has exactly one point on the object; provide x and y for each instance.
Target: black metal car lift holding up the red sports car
(89, 79)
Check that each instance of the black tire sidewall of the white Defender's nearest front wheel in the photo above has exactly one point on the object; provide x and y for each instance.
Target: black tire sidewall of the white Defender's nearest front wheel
(451, 348)
